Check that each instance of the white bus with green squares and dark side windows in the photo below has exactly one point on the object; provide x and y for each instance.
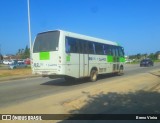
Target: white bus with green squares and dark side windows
(65, 54)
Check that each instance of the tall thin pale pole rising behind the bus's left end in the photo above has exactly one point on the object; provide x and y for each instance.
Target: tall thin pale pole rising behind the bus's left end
(29, 29)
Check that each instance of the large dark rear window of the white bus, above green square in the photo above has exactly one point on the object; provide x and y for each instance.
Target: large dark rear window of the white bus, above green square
(47, 41)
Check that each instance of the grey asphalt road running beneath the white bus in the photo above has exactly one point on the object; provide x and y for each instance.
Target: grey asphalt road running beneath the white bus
(18, 91)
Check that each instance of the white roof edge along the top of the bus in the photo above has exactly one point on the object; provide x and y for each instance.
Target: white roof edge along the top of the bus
(84, 37)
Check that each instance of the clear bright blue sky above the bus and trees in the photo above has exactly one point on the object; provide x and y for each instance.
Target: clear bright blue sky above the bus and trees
(134, 24)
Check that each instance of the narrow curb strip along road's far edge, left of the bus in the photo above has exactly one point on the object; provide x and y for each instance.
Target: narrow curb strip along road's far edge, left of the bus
(17, 77)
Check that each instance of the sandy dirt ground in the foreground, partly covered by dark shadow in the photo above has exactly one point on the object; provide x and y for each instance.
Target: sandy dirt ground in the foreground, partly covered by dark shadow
(133, 94)
